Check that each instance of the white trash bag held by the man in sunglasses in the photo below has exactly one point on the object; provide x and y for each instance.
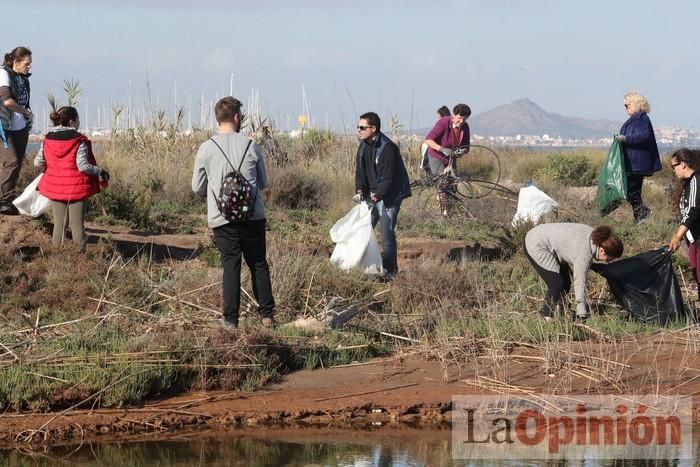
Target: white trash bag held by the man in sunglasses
(356, 244)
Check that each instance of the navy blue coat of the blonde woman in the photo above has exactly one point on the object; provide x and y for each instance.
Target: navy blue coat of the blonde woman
(639, 147)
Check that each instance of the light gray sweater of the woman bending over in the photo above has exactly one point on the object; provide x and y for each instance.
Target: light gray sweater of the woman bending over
(551, 244)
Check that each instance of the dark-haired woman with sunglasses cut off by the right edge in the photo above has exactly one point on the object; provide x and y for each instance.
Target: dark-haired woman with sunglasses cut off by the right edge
(685, 164)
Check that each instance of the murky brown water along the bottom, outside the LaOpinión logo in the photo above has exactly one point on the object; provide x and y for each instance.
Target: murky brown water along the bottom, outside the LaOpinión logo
(381, 448)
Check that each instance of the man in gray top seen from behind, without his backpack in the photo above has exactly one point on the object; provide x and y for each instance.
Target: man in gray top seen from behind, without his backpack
(221, 154)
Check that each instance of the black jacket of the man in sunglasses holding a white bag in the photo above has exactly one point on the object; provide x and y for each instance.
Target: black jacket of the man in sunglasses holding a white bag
(379, 169)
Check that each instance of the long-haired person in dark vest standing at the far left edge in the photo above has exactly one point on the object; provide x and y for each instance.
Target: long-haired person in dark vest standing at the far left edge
(15, 122)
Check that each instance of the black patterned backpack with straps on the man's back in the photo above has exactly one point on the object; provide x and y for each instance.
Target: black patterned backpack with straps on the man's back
(236, 200)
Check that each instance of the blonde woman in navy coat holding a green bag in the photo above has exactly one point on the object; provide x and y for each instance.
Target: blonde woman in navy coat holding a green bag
(640, 151)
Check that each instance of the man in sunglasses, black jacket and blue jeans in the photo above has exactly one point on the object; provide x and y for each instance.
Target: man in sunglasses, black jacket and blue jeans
(382, 180)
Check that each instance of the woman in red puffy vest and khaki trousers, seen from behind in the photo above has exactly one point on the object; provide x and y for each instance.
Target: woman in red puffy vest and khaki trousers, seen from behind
(71, 174)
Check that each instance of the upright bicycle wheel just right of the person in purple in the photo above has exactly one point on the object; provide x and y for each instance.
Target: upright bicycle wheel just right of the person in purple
(481, 168)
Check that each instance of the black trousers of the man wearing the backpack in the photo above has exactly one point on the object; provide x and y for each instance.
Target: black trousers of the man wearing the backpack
(247, 240)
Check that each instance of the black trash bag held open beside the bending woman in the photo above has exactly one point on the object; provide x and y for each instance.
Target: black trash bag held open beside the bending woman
(645, 285)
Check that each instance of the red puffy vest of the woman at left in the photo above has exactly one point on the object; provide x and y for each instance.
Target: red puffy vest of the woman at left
(62, 181)
